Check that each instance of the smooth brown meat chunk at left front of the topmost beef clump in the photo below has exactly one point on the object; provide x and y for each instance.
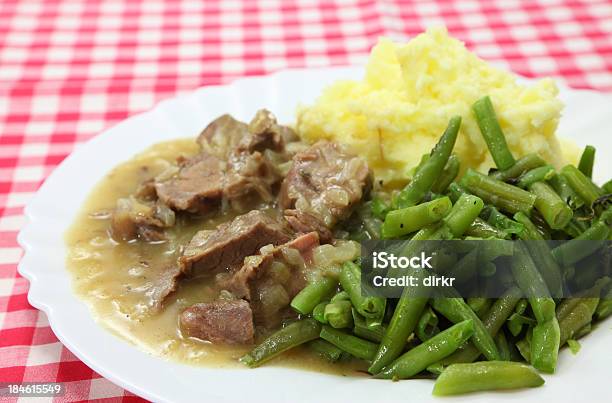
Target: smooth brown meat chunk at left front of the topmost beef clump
(196, 187)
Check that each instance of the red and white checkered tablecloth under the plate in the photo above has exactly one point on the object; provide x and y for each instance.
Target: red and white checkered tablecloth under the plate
(69, 69)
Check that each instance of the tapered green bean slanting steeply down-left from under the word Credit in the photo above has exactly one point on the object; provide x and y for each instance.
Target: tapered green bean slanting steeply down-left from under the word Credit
(403, 322)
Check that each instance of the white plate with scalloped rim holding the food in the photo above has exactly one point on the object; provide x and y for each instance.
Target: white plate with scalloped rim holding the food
(585, 376)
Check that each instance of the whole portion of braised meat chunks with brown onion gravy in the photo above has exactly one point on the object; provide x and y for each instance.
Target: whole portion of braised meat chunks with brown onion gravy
(201, 245)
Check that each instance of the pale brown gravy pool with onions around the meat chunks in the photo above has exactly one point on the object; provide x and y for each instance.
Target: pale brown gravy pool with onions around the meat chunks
(113, 278)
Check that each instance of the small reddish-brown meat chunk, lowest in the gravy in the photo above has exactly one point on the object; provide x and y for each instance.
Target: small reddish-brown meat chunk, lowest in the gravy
(221, 321)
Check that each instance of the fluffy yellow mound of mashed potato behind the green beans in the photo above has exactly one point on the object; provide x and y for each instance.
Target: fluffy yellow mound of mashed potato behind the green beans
(409, 93)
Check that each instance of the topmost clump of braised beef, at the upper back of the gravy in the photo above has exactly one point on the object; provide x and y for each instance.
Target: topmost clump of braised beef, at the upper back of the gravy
(237, 163)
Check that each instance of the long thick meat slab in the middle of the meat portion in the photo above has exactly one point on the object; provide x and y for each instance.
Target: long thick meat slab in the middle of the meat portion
(231, 242)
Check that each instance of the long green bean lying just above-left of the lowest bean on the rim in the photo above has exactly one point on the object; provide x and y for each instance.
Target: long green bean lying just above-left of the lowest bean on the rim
(420, 357)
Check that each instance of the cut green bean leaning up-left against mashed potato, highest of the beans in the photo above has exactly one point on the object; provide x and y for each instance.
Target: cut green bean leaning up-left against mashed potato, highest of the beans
(492, 133)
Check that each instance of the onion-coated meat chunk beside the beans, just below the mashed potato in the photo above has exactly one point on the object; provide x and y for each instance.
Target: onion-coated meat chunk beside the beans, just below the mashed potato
(325, 183)
